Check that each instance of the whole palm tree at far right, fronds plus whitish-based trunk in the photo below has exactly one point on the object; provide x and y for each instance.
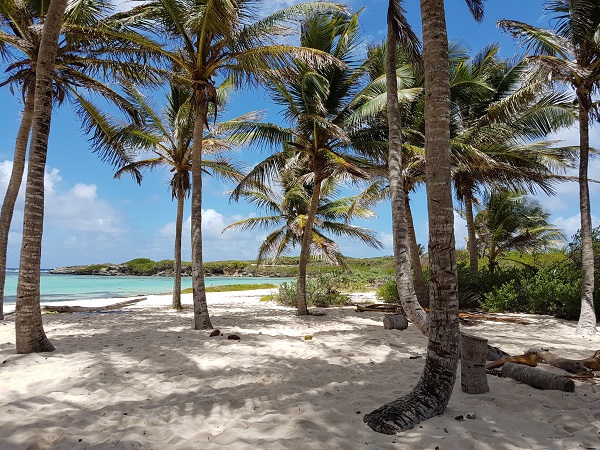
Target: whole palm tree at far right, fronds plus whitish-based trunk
(571, 53)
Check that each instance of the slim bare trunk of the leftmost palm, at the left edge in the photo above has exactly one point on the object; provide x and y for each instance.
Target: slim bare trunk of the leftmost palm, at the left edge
(12, 192)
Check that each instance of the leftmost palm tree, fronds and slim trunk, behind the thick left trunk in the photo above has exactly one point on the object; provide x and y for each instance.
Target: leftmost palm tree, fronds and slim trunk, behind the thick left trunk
(79, 58)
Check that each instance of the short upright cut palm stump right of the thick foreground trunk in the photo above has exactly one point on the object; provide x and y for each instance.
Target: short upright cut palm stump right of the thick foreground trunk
(473, 379)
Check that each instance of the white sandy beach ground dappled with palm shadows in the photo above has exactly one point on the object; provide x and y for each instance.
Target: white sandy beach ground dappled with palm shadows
(141, 378)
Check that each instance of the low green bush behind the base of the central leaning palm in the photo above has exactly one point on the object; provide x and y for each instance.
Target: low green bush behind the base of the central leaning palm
(321, 291)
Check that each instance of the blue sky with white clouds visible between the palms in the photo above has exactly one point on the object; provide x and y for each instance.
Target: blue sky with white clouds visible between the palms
(92, 218)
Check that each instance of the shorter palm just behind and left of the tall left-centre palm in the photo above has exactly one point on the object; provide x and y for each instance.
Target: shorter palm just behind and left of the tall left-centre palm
(168, 136)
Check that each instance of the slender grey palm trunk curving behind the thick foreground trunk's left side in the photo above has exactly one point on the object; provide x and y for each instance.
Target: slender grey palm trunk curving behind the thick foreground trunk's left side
(404, 279)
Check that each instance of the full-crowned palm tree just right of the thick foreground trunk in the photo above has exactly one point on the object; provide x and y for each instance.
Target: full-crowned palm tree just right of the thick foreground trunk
(494, 133)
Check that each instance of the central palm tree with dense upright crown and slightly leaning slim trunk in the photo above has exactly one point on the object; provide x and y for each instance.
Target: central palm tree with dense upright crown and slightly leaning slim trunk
(316, 103)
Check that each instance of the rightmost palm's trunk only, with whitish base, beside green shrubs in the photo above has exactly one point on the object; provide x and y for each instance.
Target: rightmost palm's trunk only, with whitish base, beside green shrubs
(587, 316)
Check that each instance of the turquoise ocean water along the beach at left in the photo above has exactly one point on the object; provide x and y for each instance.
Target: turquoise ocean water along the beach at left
(57, 288)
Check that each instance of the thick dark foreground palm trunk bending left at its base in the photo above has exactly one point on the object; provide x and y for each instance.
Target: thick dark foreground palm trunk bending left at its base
(433, 391)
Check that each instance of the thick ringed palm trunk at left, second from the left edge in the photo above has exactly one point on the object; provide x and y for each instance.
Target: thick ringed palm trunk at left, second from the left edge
(30, 335)
